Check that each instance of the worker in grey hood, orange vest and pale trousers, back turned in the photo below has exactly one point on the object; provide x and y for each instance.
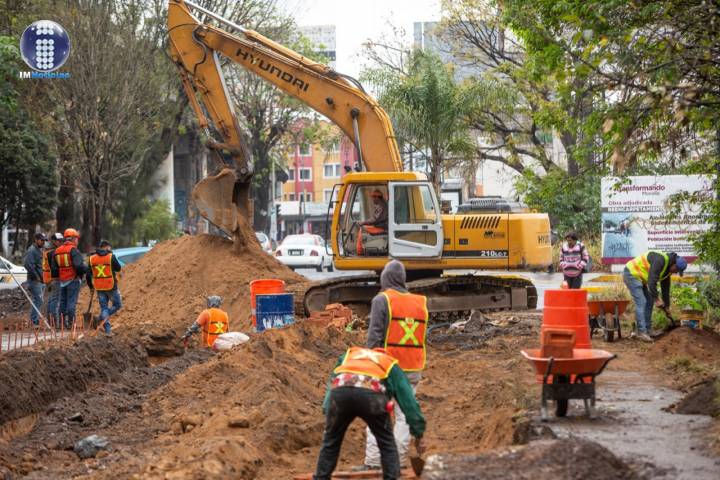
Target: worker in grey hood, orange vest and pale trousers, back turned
(398, 322)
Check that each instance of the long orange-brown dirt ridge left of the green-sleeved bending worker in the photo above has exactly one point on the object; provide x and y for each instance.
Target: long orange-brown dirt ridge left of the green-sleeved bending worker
(244, 413)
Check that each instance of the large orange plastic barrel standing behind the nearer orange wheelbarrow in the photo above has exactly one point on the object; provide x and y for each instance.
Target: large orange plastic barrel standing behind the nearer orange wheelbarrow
(567, 309)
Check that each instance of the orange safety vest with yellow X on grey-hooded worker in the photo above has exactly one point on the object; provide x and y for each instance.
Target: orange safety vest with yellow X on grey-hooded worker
(405, 337)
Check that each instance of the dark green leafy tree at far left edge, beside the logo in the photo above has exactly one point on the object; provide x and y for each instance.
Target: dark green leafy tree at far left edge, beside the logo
(28, 181)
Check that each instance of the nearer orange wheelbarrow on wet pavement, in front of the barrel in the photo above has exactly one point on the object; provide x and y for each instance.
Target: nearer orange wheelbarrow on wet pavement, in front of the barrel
(565, 379)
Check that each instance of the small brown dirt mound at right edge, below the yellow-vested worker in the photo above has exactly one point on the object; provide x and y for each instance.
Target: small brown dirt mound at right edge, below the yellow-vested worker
(702, 345)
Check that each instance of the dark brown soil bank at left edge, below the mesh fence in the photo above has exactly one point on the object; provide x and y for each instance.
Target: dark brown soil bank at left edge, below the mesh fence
(32, 379)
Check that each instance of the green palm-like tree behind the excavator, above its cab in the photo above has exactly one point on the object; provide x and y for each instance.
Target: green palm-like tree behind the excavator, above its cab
(429, 109)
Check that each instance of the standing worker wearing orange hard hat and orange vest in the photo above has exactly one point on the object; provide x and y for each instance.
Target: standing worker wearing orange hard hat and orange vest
(70, 266)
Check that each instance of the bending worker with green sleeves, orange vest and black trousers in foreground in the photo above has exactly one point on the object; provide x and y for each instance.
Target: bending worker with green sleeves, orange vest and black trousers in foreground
(363, 384)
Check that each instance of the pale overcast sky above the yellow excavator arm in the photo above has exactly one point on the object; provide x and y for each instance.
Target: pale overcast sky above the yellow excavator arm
(359, 20)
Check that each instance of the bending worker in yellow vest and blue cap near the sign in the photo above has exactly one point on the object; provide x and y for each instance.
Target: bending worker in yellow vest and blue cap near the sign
(641, 276)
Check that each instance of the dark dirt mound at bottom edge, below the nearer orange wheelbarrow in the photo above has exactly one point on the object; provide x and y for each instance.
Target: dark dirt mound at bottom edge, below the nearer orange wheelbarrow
(543, 460)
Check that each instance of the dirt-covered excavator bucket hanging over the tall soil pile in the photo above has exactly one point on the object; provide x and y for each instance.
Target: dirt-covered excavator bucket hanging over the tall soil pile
(224, 201)
